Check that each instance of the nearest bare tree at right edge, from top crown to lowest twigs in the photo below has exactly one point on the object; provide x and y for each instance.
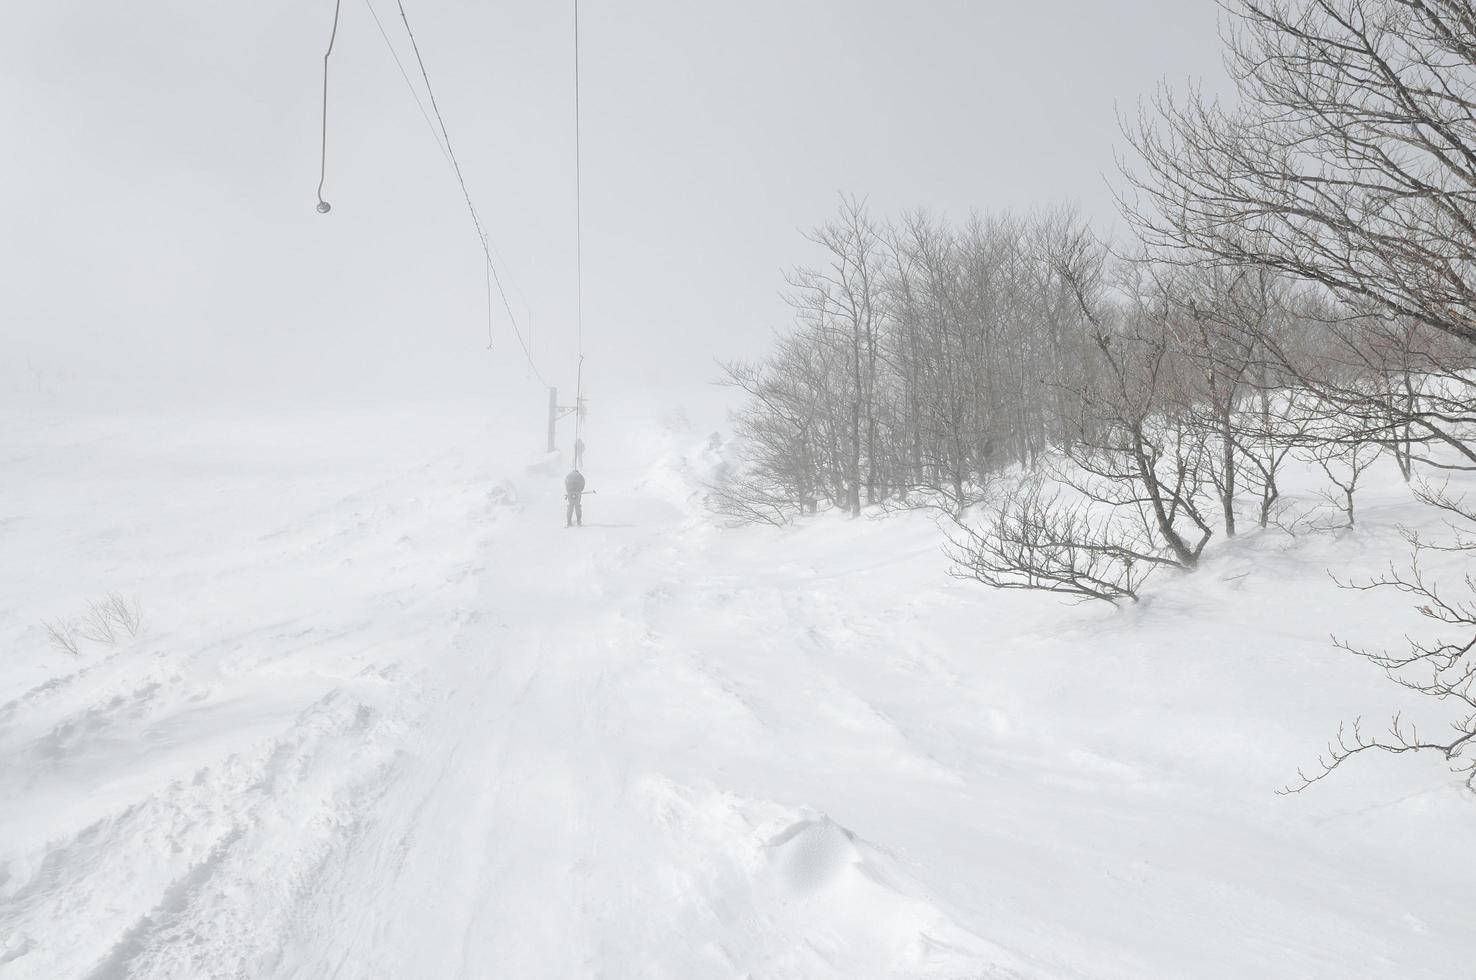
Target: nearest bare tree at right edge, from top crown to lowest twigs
(1348, 165)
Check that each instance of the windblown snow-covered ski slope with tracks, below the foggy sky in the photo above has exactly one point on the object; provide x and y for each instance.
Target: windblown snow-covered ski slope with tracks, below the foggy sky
(389, 720)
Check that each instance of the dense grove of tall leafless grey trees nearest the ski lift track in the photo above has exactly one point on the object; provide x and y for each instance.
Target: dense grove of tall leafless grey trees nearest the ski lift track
(916, 370)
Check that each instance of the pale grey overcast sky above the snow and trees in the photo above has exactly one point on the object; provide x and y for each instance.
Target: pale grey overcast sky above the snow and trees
(160, 165)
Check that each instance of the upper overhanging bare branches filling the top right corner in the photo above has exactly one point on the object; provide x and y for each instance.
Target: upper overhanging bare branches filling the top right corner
(1348, 162)
